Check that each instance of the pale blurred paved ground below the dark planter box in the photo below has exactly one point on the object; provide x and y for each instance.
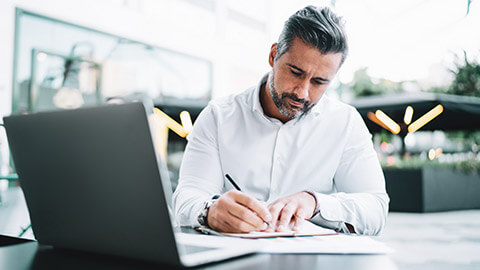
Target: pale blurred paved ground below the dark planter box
(446, 240)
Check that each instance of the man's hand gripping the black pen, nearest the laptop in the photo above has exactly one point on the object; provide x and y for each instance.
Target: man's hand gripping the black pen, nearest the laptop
(237, 212)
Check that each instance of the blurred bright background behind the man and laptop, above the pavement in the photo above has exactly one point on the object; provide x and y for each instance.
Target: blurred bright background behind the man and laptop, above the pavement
(413, 72)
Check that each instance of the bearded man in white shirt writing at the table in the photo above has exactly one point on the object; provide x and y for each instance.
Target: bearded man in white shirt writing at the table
(295, 153)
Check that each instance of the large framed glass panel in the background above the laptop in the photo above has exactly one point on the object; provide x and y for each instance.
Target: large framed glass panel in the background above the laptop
(115, 67)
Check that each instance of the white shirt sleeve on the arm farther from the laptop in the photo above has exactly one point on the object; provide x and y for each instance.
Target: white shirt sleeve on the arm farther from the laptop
(360, 198)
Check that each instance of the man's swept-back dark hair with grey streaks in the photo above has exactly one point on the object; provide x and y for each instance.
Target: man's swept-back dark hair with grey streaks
(319, 27)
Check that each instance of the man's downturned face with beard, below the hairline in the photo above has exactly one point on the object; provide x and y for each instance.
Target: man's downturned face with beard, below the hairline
(300, 77)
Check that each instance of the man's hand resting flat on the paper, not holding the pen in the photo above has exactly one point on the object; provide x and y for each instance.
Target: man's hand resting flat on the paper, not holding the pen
(294, 208)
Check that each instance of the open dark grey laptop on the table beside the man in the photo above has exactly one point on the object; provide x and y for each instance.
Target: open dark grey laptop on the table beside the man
(93, 182)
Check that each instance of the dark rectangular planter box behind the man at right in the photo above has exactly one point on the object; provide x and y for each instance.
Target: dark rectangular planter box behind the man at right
(432, 189)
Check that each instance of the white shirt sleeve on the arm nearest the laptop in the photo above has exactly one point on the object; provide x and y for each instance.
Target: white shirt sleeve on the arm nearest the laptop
(200, 174)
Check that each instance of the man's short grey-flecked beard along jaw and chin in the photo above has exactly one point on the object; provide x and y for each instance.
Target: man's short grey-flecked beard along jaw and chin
(283, 105)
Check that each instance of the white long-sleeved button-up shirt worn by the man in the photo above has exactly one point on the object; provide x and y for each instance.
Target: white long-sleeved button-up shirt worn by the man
(328, 151)
